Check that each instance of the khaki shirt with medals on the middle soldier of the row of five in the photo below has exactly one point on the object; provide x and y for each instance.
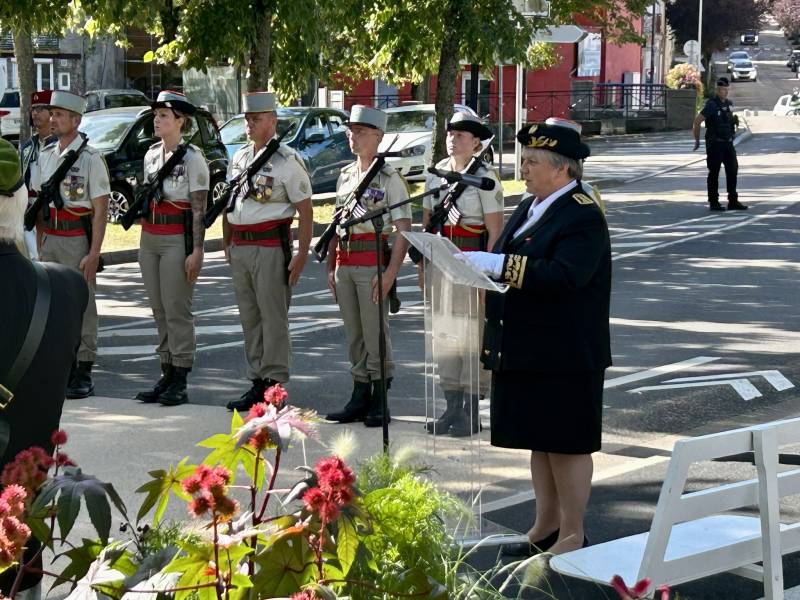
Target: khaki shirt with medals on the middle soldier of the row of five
(280, 184)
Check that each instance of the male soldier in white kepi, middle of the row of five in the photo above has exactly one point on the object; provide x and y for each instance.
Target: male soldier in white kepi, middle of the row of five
(257, 238)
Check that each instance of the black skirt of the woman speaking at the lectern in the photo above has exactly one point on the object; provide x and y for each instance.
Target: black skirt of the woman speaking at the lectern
(547, 412)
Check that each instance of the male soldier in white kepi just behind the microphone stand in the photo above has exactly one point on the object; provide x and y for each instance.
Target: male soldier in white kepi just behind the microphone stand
(351, 267)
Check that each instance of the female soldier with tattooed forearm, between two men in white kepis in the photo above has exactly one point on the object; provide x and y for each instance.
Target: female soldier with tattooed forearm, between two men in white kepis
(170, 273)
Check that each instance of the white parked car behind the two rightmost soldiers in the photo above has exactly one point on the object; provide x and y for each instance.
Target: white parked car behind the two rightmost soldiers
(410, 128)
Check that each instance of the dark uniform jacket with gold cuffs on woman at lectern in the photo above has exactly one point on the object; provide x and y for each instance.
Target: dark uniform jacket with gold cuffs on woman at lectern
(555, 315)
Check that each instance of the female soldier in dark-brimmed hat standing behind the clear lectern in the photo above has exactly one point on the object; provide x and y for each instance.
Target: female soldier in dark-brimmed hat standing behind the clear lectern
(478, 228)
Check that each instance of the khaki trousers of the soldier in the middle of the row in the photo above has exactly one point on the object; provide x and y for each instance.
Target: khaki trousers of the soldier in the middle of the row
(263, 296)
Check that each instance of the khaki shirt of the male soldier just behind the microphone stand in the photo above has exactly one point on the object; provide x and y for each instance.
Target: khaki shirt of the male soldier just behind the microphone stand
(388, 185)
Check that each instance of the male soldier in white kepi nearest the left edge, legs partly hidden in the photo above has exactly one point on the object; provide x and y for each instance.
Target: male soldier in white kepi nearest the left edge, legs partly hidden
(85, 191)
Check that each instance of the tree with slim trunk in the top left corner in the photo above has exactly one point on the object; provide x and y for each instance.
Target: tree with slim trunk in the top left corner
(24, 19)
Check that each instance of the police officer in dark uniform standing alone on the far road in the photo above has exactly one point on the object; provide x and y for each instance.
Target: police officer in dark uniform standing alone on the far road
(720, 129)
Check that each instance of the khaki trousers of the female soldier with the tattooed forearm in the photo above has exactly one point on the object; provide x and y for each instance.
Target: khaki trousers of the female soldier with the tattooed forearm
(162, 261)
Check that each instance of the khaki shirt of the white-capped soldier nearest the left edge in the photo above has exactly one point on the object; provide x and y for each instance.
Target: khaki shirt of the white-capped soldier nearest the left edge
(87, 178)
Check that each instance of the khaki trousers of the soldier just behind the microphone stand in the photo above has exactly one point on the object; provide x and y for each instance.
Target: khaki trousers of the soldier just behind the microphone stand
(360, 317)
